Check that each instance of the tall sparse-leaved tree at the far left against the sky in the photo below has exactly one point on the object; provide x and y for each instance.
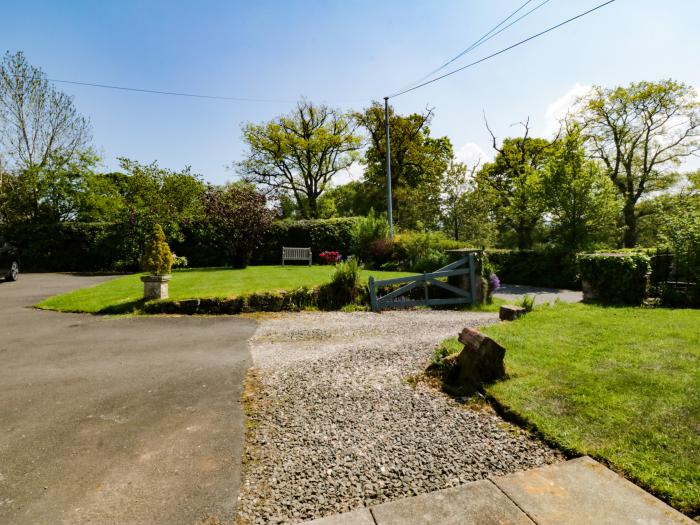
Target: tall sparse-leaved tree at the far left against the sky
(41, 132)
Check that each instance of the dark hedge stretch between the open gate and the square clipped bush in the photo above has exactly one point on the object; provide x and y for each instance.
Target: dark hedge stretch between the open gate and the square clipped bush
(547, 268)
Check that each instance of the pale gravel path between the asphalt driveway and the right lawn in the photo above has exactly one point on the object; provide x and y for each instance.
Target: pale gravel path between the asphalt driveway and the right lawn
(336, 426)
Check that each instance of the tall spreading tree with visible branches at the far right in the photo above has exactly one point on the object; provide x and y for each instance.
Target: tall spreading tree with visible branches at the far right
(640, 133)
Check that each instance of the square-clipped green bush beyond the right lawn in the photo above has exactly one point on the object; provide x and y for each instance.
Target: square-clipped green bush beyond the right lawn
(615, 278)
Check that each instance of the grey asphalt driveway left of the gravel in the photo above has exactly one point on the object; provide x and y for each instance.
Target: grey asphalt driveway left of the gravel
(117, 420)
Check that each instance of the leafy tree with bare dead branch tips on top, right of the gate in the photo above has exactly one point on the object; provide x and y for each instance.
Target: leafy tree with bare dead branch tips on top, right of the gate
(513, 183)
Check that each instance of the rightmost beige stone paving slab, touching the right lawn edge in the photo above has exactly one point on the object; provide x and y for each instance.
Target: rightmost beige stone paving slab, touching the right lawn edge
(581, 492)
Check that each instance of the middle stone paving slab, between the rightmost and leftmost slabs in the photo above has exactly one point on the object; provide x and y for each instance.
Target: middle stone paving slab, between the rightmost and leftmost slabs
(479, 502)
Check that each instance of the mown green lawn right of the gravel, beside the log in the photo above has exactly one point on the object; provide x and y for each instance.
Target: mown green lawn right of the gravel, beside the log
(618, 384)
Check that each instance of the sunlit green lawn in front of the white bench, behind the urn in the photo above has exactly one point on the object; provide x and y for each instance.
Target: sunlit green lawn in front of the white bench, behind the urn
(199, 283)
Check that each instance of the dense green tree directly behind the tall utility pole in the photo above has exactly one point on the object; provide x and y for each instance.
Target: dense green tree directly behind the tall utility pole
(418, 163)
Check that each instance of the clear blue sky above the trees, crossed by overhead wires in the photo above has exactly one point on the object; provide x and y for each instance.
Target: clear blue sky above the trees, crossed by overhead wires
(344, 53)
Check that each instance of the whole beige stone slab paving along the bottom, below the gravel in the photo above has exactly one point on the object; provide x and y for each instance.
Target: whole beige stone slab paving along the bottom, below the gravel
(577, 492)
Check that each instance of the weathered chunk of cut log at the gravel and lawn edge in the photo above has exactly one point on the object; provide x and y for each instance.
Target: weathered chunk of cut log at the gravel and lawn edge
(481, 360)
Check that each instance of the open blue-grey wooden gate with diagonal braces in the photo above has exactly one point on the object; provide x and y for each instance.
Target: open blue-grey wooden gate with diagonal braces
(464, 266)
